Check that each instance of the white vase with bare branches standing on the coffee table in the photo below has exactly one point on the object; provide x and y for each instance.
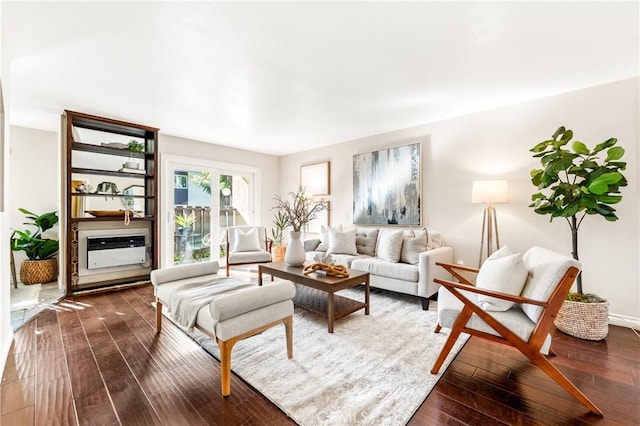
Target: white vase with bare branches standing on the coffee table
(298, 212)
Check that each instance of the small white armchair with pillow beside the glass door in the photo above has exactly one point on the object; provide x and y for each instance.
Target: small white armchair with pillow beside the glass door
(247, 245)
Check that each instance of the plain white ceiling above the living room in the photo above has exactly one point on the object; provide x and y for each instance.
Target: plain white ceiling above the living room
(285, 77)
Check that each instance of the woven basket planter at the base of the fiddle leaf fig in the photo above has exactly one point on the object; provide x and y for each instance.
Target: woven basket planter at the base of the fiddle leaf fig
(588, 321)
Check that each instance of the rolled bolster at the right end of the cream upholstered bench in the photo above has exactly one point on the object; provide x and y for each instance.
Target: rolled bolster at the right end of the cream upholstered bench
(246, 300)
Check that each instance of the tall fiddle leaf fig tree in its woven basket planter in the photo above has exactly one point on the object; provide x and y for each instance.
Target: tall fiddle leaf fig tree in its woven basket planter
(575, 182)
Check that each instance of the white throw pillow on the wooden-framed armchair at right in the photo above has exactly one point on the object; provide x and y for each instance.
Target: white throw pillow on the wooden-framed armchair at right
(503, 271)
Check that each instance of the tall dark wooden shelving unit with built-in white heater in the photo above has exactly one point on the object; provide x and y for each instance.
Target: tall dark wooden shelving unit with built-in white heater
(89, 165)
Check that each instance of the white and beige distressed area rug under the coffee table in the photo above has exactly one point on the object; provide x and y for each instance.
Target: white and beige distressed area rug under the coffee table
(372, 370)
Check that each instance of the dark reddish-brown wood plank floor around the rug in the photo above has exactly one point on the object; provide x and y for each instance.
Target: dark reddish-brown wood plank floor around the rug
(97, 360)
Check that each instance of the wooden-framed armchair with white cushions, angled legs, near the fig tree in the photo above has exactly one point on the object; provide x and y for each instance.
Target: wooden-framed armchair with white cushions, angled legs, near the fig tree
(513, 301)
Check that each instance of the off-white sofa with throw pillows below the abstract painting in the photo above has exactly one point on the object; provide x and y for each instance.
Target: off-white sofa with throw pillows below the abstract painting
(375, 250)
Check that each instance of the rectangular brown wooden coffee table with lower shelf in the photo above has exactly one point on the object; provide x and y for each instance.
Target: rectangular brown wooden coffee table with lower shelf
(316, 293)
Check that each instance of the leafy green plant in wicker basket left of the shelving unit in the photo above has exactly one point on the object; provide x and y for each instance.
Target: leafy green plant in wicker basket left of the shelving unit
(40, 265)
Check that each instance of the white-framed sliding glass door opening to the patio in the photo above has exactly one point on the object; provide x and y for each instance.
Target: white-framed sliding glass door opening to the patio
(199, 200)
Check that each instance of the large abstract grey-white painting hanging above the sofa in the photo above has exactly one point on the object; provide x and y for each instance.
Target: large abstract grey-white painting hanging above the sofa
(386, 186)
